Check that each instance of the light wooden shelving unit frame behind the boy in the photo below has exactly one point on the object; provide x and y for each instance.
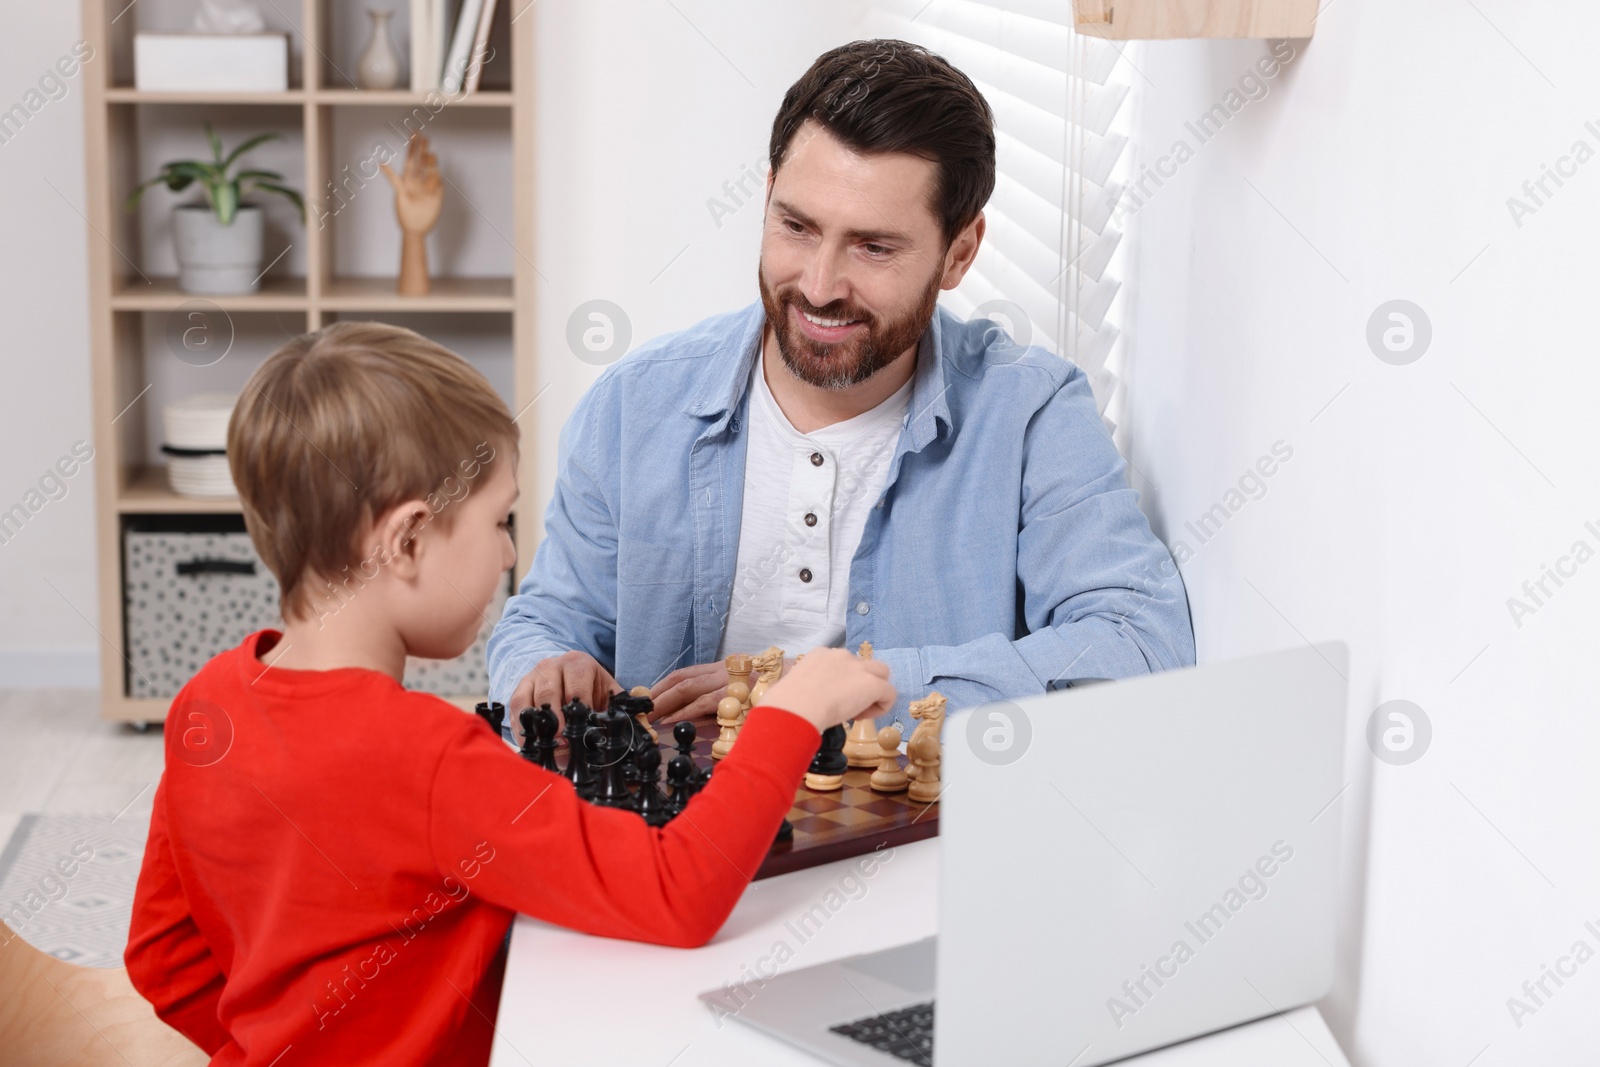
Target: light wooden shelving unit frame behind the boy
(124, 298)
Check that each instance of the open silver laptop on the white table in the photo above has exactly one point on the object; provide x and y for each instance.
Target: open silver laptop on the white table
(1122, 866)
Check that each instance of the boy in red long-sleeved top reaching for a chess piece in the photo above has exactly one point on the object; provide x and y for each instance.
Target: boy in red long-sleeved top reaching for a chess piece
(334, 861)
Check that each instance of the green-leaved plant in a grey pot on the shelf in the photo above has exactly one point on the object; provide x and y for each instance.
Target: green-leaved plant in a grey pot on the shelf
(220, 241)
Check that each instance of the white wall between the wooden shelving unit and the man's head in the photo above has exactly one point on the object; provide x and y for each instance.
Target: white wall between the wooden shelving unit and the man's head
(646, 113)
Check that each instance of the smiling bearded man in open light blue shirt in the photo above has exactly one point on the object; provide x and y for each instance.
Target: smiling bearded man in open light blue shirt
(847, 462)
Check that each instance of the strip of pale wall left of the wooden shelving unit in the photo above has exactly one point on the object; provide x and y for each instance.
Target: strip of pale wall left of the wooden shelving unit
(47, 572)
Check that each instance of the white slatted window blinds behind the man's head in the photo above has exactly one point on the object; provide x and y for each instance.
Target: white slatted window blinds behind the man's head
(1049, 257)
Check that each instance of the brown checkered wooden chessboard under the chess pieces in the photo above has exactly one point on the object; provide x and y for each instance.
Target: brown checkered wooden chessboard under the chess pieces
(838, 825)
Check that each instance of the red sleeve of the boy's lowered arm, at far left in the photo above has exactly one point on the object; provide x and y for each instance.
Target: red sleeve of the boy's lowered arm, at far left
(169, 962)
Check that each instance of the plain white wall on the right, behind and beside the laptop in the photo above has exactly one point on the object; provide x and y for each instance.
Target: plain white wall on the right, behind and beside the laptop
(1418, 498)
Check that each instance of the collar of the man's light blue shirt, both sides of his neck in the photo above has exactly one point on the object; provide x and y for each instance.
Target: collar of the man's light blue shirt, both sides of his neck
(722, 394)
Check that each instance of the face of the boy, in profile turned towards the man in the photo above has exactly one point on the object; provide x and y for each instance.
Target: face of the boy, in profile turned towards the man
(460, 565)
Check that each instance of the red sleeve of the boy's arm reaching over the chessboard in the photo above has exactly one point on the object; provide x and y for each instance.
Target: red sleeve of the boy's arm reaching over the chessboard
(537, 849)
